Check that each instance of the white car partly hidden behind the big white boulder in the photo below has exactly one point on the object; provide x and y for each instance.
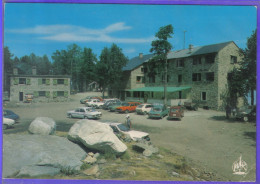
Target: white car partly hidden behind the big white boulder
(133, 134)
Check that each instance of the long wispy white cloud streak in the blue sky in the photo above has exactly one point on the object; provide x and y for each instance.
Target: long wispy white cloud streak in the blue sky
(71, 33)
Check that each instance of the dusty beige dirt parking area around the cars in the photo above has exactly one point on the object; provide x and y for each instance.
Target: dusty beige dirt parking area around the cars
(204, 136)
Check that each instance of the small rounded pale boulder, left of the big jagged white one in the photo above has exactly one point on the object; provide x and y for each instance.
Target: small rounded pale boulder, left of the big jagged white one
(42, 126)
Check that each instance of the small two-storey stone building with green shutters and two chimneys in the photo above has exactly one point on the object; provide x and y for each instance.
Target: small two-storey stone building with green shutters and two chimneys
(43, 88)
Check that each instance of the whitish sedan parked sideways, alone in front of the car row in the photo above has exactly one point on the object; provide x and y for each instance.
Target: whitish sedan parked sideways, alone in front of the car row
(84, 112)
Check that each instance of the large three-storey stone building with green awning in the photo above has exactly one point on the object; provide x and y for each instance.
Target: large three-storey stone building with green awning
(199, 74)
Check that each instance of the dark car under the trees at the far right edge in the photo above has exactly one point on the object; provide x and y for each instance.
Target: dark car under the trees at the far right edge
(246, 113)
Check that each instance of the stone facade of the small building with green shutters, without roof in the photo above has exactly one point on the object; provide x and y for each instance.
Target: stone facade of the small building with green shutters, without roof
(34, 86)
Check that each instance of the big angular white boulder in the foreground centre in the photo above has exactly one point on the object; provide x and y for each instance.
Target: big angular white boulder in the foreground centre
(96, 135)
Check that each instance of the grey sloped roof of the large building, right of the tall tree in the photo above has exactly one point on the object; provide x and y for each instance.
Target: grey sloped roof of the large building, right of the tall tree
(198, 50)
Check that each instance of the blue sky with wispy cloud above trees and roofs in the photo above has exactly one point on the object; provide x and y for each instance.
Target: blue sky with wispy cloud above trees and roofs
(43, 28)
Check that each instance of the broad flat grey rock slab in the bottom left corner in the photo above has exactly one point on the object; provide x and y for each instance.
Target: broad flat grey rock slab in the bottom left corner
(36, 155)
